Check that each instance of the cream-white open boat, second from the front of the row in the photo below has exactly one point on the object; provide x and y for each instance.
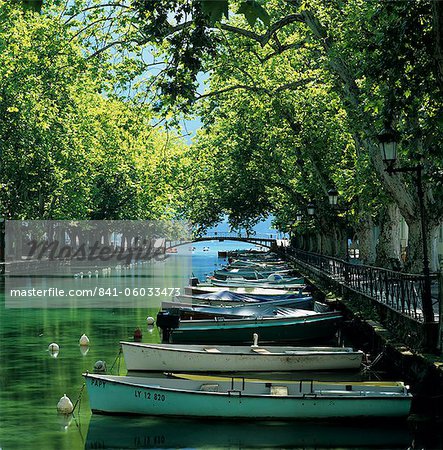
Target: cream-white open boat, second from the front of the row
(233, 358)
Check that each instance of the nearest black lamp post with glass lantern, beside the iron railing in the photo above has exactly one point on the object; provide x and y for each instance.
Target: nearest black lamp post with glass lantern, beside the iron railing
(388, 143)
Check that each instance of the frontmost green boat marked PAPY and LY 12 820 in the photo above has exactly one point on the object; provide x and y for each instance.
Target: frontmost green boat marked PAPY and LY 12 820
(240, 398)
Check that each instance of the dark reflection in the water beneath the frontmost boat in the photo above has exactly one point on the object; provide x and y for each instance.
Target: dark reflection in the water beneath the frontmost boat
(106, 432)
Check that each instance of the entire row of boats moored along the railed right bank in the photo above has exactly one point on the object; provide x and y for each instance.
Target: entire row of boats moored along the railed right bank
(206, 366)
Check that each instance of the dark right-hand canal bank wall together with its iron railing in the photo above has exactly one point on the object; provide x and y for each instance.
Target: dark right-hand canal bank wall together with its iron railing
(383, 315)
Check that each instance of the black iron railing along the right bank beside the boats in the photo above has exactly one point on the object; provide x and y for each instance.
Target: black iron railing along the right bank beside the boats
(402, 292)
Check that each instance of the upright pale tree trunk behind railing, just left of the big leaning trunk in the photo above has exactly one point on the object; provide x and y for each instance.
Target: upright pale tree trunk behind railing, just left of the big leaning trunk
(388, 246)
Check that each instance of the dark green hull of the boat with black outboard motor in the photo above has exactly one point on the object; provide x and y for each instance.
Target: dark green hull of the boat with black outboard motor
(275, 329)
